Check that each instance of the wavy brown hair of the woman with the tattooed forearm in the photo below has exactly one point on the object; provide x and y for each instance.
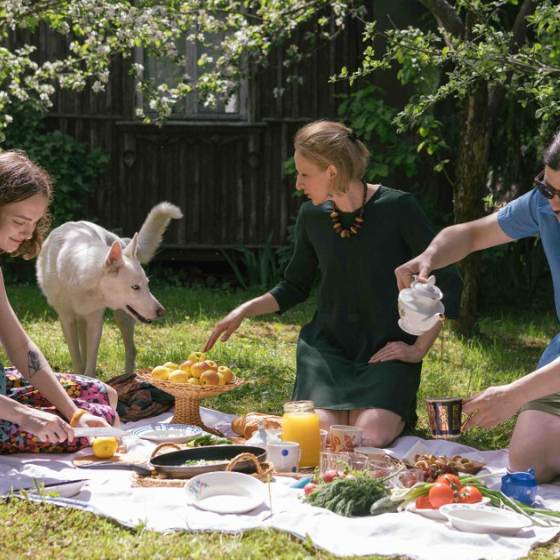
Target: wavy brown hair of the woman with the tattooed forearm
(21, 178)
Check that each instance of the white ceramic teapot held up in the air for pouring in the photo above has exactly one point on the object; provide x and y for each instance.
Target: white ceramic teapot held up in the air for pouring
(420, 307)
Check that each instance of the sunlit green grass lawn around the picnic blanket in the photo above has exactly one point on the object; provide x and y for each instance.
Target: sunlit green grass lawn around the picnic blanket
(263, 352)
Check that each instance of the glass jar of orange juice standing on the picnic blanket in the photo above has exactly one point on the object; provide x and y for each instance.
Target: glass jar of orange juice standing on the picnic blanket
(301, 423)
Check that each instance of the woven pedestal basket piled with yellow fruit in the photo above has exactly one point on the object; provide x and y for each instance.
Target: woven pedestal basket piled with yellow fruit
(195, 379)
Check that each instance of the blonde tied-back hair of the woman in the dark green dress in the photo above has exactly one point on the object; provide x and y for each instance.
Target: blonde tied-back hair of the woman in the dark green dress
(327, 143)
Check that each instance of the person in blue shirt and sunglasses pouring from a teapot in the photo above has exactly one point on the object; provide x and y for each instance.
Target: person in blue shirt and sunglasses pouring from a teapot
(535, 439)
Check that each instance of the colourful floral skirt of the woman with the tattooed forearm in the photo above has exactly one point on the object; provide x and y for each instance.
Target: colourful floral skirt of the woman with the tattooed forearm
(87, 393)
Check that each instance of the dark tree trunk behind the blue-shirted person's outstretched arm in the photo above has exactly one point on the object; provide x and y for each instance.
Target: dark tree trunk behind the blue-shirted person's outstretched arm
(470, 185)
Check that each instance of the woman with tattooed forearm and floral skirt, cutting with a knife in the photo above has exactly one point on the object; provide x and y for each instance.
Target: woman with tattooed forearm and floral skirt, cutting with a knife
(38, 408)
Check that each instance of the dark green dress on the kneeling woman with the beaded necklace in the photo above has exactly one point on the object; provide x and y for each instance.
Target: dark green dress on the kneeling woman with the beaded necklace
(357, 309)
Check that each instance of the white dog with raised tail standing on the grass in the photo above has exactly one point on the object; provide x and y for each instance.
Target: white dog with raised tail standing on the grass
(83, 269)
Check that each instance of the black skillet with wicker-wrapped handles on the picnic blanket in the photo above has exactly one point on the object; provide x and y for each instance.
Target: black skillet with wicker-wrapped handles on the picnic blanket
(172, 464)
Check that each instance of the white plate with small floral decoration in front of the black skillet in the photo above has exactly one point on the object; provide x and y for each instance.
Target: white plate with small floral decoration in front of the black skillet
(225, 492)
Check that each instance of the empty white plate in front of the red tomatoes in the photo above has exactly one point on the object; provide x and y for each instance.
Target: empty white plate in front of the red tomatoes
(476, 518)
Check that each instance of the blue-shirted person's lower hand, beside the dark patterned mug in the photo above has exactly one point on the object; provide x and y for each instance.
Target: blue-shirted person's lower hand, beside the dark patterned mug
(491, 407)
